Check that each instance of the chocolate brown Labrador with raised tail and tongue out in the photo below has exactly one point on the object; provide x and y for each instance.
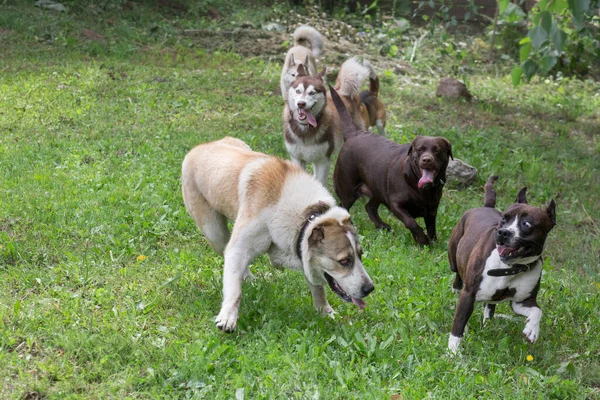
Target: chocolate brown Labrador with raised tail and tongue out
(388, 173)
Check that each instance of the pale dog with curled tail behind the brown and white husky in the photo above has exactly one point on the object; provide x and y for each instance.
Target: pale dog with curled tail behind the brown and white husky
(308, 44)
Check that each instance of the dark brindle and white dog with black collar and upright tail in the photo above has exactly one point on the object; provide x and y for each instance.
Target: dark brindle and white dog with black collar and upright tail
(498, 257)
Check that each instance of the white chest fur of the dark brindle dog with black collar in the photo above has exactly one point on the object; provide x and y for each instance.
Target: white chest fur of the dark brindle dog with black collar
(522, 283)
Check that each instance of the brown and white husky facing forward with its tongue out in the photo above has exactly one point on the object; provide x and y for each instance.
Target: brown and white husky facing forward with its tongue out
(311, 124)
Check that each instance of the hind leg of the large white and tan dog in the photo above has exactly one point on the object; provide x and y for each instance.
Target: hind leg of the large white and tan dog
(212, 223)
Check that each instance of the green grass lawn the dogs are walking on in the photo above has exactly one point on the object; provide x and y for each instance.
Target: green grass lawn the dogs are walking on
(92, 135)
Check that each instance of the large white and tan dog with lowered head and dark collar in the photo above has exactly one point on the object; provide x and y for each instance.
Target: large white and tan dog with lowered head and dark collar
(278, 209)
